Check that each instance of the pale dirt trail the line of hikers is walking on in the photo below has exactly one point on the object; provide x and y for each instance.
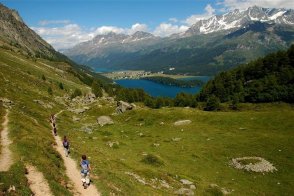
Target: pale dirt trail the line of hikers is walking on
(73, 172)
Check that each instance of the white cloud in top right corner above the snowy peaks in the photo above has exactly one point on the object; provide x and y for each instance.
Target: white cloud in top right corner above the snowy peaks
(243, 4)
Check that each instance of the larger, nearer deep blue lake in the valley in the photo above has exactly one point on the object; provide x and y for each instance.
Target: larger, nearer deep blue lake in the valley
(155, 89)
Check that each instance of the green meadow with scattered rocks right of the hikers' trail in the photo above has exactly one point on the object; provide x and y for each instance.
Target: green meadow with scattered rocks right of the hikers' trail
(202, 156)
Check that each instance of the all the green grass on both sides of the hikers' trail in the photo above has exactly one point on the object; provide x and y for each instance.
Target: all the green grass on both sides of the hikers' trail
(202, 156)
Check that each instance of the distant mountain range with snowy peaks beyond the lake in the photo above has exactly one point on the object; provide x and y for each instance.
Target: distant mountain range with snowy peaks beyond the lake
(207, 47)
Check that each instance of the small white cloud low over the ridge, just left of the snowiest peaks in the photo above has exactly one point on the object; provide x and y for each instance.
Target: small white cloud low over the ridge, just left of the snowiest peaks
(166, 29)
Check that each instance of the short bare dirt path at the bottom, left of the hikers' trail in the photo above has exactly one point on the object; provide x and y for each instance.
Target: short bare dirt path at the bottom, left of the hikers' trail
(38, 185)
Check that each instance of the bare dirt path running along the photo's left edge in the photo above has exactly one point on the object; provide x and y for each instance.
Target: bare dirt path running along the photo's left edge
(6, 155)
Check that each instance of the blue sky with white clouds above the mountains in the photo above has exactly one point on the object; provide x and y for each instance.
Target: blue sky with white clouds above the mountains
(65, 23)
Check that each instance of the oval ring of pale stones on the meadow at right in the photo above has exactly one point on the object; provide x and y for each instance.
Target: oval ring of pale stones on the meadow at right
(261, 165)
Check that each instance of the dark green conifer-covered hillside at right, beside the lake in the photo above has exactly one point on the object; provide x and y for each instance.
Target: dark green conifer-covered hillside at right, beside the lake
(268, 79)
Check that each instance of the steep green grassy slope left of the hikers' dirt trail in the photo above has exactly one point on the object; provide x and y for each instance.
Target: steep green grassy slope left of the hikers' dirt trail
(29, 128)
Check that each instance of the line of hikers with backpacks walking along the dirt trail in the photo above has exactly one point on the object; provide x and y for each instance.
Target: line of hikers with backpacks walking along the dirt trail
(85, 164)
